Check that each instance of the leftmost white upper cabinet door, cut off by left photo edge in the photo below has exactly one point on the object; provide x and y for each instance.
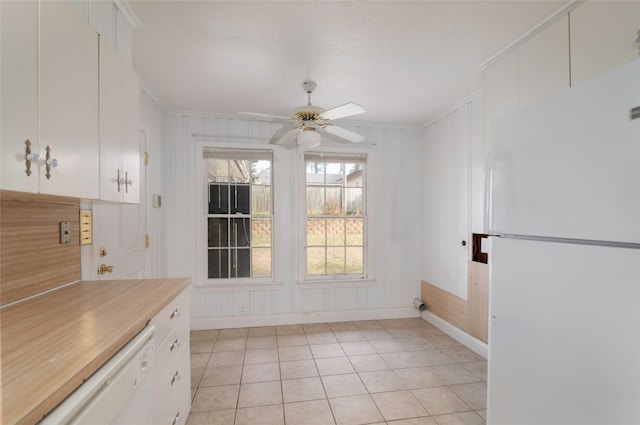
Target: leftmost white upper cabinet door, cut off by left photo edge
(19, 35)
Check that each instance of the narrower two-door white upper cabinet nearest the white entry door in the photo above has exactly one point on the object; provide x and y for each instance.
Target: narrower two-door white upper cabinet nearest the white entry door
(119, 126)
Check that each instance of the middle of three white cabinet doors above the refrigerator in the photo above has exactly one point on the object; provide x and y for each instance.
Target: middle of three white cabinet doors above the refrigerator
(543, 63)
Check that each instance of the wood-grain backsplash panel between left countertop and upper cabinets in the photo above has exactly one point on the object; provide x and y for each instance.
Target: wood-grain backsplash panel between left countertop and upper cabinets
(32, 260)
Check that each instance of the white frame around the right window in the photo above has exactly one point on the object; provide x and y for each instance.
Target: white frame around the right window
(329, 281)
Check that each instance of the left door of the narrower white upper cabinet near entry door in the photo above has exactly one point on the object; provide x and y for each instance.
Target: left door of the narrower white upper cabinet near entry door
(110, 124)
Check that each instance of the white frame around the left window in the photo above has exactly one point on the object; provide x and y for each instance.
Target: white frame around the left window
(203, 282)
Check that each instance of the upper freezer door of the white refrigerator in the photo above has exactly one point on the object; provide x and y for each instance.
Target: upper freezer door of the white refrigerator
(569, 166)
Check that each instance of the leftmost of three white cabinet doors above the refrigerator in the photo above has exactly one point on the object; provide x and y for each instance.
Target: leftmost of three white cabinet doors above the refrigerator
(500, 94)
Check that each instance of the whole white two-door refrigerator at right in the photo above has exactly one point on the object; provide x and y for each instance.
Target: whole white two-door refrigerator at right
(564, 203)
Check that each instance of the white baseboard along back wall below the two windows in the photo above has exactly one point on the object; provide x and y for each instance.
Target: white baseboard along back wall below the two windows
(198, 324)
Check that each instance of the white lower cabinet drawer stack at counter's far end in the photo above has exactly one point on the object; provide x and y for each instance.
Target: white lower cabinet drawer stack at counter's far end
(172, 374)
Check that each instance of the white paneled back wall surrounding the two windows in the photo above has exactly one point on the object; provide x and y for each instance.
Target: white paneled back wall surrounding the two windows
(395, 161)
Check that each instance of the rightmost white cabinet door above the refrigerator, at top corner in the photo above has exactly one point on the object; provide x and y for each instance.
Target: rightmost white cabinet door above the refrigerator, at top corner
(602, 35)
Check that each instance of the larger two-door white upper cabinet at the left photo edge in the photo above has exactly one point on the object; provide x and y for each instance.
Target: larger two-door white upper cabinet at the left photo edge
(49, 97)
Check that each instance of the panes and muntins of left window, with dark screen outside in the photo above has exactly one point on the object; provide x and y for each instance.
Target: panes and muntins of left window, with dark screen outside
(239, 214)
